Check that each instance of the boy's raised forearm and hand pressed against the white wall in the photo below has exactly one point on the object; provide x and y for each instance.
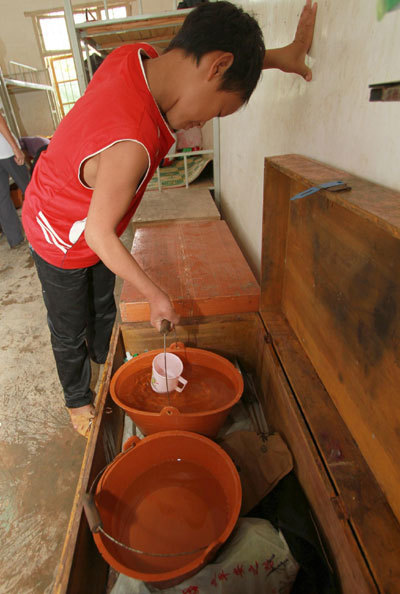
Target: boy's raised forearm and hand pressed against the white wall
(291, 57)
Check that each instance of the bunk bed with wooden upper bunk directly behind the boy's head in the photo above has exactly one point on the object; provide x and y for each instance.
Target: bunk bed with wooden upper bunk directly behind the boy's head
(156, 29)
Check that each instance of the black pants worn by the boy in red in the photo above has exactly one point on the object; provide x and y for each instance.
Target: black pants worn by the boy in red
(80, 313)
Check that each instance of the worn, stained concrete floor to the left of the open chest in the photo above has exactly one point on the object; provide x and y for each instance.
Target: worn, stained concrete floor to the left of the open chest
(40, 452)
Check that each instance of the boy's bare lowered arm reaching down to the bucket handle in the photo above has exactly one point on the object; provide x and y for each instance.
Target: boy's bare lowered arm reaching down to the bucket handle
(119, 172)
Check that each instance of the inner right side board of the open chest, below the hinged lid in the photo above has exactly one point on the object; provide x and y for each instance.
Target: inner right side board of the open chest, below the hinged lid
(283, 415)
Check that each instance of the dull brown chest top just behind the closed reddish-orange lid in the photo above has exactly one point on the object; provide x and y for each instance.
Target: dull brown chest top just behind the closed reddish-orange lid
(175, 206)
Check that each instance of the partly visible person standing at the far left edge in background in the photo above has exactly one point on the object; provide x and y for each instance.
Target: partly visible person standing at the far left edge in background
(12, 164)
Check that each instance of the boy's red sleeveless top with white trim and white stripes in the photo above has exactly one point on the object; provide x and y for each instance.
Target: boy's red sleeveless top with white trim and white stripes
(117, 105)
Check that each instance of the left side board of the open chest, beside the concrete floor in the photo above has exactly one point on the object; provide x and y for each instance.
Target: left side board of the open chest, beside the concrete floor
(81, 568)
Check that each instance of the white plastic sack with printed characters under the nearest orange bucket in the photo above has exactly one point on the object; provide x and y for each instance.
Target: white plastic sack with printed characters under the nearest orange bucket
(256, 560)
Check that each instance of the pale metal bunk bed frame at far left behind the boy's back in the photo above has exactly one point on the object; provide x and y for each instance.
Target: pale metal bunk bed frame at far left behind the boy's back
(23, 78)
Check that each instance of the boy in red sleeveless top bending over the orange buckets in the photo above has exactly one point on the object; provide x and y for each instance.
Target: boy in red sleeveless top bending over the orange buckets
(88, 184)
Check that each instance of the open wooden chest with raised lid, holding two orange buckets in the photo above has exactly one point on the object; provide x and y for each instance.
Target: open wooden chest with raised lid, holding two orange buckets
(324, 349)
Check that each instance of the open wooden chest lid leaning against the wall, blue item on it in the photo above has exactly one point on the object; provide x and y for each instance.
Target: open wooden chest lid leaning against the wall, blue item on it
(331, 287)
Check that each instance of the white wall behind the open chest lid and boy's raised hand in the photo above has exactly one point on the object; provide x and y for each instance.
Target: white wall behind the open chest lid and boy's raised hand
(329, 119)
